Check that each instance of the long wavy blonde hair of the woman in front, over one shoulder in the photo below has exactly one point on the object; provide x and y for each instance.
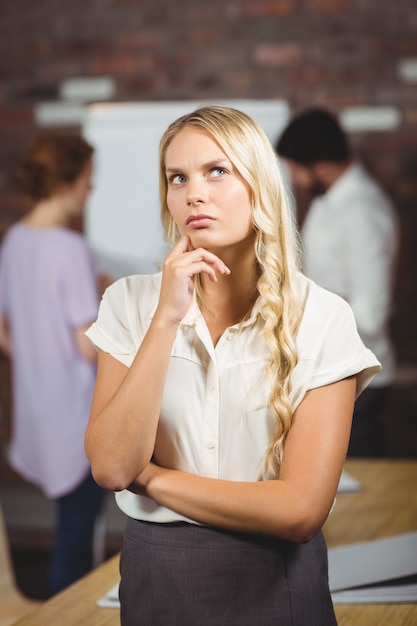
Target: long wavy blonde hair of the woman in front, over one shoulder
(277, 247)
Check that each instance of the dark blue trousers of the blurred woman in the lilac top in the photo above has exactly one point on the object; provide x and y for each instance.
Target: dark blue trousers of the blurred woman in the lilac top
(72, 551)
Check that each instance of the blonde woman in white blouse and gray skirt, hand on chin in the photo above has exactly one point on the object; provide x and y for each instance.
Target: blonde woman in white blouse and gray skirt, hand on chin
(224, 396)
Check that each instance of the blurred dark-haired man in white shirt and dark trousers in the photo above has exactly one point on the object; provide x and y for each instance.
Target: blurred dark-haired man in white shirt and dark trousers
(350, 241)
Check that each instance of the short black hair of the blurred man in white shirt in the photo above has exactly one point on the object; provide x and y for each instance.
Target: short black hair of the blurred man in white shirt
(314, 136)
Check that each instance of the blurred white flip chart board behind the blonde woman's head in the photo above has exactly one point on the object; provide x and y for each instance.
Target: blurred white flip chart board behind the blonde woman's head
(123, 224)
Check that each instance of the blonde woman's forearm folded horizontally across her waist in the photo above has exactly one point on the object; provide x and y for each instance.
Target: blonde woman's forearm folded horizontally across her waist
(287, 509)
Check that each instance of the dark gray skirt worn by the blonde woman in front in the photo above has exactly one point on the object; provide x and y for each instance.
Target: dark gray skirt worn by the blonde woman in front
(188, 575)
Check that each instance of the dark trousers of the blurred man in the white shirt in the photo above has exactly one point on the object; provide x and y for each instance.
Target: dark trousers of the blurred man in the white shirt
(366, 438)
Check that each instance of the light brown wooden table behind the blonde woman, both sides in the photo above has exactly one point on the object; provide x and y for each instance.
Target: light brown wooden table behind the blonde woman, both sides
(387, 505)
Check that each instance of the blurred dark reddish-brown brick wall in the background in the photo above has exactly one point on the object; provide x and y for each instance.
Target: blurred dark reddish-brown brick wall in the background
(338, 53)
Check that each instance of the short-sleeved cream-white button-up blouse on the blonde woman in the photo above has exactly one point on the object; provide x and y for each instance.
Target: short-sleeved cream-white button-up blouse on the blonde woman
(214, 419)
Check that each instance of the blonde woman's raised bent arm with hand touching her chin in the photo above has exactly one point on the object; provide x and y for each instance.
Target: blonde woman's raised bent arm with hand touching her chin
(126, 406)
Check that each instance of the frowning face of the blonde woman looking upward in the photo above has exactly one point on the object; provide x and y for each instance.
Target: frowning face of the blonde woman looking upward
(208, 199)
